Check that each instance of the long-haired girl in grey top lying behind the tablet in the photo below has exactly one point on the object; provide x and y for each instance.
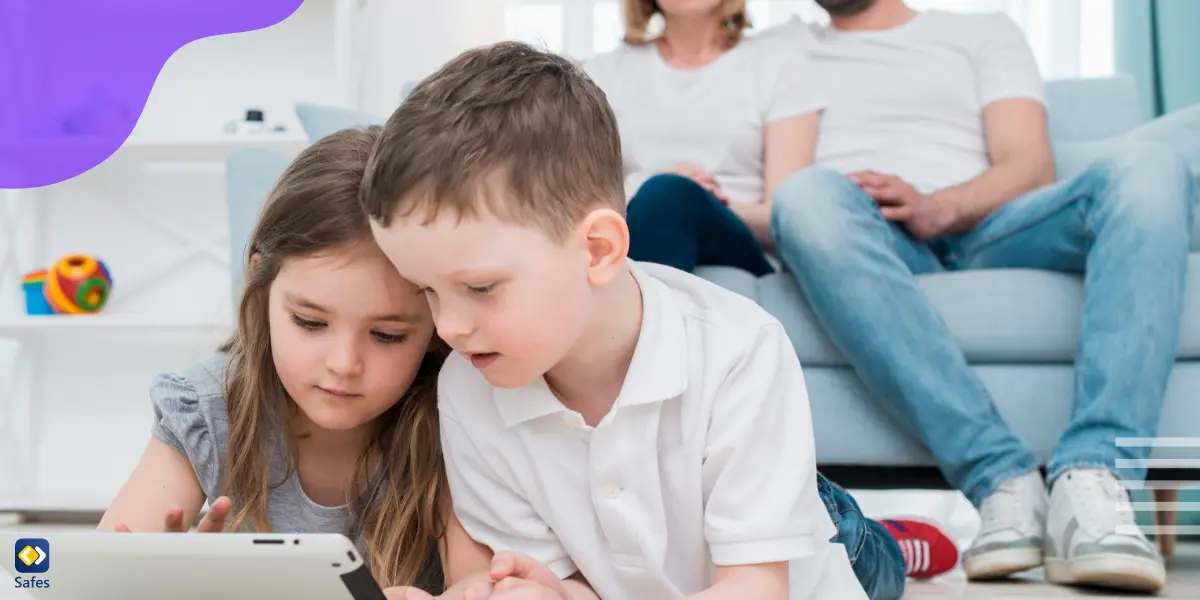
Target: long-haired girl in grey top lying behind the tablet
(323, 417)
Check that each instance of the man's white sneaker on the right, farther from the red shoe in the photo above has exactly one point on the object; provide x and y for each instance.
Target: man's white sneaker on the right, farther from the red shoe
(1090, 542)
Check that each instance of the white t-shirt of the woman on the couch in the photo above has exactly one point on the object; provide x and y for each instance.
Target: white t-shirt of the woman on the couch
(712, 117)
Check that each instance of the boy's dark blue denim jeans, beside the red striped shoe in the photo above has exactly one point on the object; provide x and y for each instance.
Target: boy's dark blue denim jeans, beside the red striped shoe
(874, 555)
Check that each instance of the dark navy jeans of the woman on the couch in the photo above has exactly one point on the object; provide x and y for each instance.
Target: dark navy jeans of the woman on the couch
(676, 223)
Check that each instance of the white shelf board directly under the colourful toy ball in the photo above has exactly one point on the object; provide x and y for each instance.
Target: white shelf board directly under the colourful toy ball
(110, 325)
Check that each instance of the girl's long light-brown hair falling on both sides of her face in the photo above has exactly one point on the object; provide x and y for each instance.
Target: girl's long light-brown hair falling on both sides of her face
(314, 209)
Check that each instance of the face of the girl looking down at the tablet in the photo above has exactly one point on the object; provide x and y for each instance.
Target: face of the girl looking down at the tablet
(347, 335)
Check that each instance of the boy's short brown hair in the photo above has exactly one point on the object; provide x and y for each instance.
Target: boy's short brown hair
(520, 131)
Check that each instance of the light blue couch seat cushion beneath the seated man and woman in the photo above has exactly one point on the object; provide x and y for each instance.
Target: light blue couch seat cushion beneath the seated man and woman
(997, 316)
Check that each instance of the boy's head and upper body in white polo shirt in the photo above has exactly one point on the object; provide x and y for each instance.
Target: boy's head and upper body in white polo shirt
(638, 431)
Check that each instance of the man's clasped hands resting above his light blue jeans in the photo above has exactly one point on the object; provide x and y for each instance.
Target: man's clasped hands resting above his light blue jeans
(899, 202)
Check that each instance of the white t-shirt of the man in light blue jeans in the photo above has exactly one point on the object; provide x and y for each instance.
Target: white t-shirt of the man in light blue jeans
(910, 100)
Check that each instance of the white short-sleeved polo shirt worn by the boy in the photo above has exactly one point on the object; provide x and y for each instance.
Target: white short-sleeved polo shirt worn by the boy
(707, 458)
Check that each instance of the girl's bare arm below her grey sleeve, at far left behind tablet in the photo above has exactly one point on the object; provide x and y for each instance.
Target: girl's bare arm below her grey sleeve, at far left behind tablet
(163, 479)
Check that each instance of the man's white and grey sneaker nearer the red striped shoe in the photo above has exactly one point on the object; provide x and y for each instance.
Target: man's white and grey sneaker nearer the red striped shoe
(1013, 526)
